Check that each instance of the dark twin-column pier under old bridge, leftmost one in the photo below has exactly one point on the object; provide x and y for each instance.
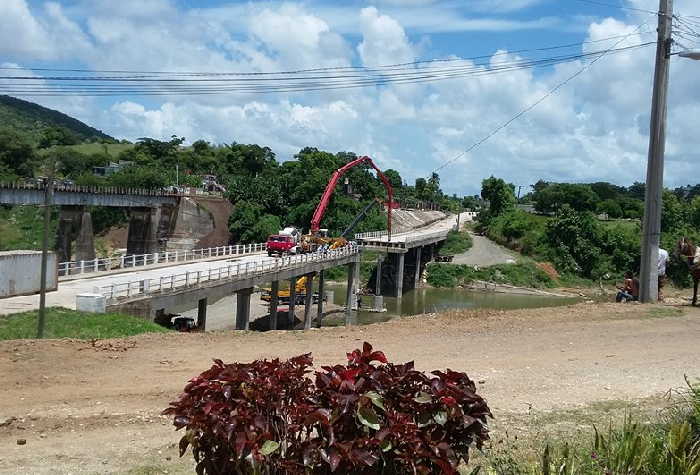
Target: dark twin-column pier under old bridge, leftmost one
(75, 224)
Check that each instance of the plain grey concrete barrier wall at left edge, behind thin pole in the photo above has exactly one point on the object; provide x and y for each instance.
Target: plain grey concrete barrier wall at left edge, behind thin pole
(20, 273)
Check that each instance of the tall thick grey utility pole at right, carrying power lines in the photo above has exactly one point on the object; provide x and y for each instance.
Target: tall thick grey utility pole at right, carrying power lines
(651, 231)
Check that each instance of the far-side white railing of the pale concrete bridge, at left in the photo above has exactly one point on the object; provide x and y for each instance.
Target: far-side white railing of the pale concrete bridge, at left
(139, 260)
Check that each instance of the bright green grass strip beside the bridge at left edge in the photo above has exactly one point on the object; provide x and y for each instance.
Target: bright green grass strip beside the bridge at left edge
(64, 323)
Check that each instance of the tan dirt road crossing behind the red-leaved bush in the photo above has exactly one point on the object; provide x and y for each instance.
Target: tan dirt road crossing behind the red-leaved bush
(93, 407)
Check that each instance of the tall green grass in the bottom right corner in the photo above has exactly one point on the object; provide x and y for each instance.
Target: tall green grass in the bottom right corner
(666, 443)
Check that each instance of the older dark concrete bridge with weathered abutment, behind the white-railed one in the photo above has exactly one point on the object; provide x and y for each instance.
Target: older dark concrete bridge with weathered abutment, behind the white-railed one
(158, 220)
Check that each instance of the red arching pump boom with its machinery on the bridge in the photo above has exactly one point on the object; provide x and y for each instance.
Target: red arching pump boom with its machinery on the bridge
(317, 237)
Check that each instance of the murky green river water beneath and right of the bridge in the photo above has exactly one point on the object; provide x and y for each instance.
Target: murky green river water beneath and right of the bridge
(430, 300)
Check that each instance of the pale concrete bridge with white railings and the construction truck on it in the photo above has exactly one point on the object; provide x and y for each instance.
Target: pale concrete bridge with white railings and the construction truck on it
(152, 285)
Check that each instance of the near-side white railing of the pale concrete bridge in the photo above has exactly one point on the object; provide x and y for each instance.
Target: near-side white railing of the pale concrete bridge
(230, 272)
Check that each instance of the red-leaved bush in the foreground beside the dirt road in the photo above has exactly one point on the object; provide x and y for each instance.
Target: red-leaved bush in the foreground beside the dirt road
(369, 416)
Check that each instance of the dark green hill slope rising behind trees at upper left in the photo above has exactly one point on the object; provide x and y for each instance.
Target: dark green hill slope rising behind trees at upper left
(32, 120)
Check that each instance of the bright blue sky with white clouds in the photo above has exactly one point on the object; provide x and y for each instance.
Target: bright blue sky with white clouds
(594, 128)
